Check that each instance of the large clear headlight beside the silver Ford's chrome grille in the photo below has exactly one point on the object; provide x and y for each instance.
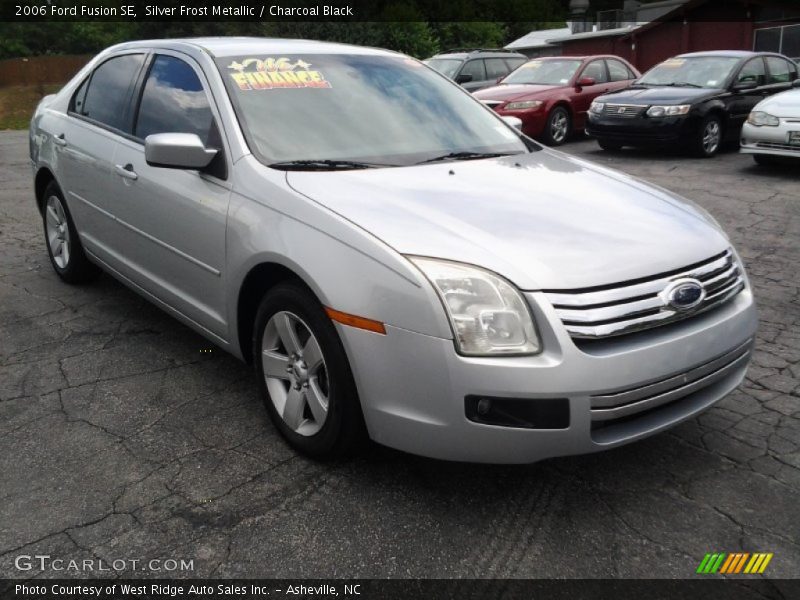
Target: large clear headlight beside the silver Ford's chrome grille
(488, 315)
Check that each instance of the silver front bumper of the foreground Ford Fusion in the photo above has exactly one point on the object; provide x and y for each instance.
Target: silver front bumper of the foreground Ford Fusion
(413, 387)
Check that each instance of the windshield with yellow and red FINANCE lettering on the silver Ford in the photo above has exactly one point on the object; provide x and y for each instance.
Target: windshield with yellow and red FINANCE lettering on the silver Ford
(381, 110)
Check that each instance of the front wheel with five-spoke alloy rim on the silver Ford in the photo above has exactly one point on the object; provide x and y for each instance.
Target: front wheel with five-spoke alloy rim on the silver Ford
(304, 375)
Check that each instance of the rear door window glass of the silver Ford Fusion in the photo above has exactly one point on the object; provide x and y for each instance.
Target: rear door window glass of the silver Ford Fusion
(109, 91)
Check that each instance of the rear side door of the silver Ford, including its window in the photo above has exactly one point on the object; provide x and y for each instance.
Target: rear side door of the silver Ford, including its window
(86, 137)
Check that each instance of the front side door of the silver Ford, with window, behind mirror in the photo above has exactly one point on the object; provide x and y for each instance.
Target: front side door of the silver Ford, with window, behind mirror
(172, 239)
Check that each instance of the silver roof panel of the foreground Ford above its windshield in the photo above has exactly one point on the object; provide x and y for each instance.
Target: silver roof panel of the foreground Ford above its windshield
(239, 46)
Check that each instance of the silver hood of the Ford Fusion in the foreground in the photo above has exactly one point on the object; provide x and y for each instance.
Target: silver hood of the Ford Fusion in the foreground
(543, 220)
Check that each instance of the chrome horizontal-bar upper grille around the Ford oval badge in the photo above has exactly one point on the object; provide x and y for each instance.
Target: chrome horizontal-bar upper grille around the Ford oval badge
(615, 310)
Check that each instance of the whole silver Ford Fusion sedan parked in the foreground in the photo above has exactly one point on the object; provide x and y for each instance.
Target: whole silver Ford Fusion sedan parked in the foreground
(394, 259)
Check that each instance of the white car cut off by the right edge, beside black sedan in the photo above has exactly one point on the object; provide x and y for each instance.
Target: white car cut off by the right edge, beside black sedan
(773, 128)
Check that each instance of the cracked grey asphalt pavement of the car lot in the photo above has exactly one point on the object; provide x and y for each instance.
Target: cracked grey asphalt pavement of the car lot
(124, 436)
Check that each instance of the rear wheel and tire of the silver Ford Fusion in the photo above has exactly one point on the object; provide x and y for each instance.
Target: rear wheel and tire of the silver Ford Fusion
(61, 238)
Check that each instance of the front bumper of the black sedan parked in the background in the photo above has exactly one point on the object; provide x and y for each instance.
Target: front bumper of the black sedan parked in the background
(642, 130)
